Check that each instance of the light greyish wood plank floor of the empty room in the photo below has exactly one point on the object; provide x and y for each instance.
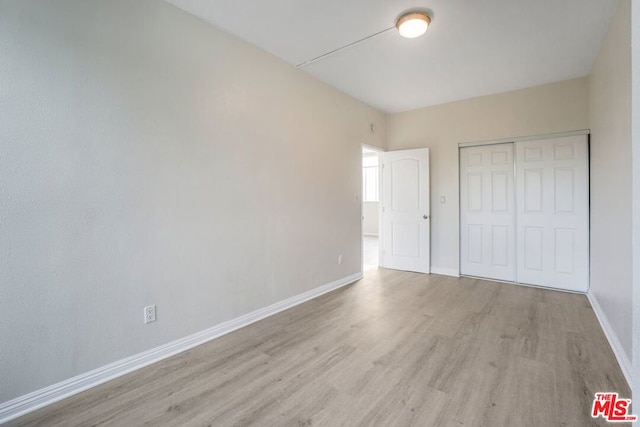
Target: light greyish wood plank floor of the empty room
(394, 349)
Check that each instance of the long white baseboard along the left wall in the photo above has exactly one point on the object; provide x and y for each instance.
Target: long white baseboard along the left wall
(56, 392)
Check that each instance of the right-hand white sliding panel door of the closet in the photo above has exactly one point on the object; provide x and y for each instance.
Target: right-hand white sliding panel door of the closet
(553, 212)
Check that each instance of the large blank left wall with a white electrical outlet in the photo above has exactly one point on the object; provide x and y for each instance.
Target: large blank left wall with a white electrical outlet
(148, 158)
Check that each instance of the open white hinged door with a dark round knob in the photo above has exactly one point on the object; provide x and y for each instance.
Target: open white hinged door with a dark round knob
(405, 210)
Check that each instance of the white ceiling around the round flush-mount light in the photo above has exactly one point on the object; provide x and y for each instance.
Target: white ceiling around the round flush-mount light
(472, 48)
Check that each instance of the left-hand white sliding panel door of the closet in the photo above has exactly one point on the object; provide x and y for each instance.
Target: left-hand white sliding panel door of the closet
(487, 212)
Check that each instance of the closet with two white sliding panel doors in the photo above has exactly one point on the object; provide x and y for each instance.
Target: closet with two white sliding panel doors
(524, 211)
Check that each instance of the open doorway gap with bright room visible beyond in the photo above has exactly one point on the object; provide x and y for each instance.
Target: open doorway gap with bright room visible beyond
(370, 208)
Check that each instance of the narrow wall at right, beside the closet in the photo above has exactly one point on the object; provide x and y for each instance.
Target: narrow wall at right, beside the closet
(610, 122)
